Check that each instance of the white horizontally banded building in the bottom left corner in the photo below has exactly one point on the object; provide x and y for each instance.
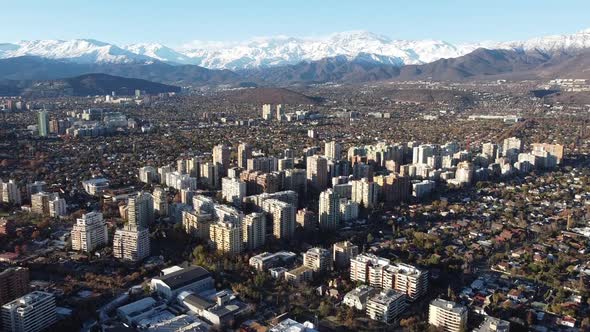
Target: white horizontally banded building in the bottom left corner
(33, 312)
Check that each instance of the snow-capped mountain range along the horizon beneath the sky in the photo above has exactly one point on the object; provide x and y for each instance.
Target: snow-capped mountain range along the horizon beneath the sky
(276, 51)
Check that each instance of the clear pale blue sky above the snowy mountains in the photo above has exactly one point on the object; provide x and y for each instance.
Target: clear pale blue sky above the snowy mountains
(175, 22)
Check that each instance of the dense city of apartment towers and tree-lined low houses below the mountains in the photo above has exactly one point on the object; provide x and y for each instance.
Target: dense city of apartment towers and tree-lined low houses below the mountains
(177, 212)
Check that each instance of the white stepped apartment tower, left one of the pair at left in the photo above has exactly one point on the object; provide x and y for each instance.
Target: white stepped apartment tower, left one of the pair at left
(89, 232)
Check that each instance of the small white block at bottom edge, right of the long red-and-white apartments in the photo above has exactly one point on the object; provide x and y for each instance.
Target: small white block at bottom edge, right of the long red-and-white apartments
(447, 315)
